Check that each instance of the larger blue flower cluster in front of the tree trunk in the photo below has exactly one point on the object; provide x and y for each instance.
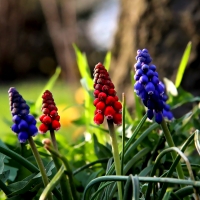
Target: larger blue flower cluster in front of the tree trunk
(149, 88)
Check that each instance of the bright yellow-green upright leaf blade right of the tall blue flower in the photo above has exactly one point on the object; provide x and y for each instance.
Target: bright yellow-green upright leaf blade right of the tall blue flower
(183, 64)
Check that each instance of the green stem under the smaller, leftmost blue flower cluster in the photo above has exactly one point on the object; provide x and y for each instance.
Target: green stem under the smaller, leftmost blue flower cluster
(40, 164)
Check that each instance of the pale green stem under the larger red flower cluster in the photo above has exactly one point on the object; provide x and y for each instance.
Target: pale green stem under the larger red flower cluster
(115, 155)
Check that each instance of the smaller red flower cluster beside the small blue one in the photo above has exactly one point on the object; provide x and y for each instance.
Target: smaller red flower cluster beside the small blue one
(50, 118)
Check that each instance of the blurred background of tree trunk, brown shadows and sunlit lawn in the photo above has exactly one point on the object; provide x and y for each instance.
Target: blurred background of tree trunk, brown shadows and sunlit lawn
(37, 35)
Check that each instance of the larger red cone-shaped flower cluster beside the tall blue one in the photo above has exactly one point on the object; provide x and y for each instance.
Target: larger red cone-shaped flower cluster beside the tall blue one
(106, 101)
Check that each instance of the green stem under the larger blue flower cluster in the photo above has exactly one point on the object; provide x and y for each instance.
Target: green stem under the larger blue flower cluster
(171, 144)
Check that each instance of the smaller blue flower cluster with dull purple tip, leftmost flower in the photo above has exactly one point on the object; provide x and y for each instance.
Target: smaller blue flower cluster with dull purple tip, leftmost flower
(24, 123)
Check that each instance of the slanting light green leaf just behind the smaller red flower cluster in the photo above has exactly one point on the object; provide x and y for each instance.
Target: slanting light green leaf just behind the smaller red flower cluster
(48, 86)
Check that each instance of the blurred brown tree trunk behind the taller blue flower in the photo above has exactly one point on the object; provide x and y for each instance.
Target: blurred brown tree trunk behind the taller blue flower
(164, 27)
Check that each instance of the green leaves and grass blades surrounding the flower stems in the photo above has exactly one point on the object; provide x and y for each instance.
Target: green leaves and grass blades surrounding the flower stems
(148, 169)
